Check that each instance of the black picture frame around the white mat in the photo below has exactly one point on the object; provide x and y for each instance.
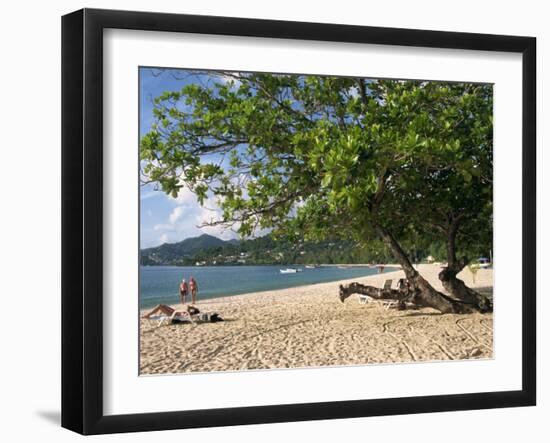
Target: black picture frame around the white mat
(82, 218)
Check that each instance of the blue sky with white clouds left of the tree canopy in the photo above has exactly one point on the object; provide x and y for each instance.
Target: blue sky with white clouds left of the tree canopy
(165, 219)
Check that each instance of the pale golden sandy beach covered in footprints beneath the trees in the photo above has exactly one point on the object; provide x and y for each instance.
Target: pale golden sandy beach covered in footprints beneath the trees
(309, 326)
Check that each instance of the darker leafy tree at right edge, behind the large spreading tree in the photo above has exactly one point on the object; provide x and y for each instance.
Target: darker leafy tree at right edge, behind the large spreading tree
(450, 196)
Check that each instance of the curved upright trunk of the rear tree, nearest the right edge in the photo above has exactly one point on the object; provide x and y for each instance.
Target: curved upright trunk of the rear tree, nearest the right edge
(448, 276)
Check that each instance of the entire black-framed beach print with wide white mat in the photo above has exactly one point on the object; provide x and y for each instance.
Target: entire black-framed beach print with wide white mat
(269, 221)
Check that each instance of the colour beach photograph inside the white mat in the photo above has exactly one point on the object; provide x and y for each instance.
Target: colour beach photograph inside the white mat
(292, 221)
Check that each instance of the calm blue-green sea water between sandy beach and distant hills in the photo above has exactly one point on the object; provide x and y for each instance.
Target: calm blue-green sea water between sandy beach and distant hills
(159, 284)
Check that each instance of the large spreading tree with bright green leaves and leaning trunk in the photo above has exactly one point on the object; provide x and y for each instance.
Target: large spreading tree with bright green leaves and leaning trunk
(324, 157)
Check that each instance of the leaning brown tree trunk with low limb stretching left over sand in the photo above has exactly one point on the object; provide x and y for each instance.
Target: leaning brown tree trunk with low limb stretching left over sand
(419, 291)
